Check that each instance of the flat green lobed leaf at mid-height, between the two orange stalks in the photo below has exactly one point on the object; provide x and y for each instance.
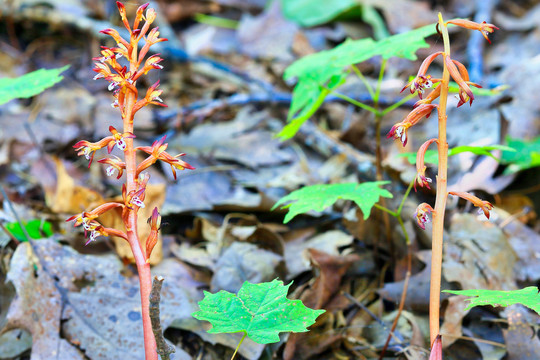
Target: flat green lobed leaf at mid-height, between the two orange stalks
(319, 197)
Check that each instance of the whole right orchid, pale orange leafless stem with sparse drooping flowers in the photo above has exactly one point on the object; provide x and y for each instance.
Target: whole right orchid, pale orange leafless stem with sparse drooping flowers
(423, 108)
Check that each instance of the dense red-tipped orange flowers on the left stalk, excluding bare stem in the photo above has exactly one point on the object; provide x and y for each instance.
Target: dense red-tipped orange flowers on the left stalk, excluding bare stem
(122, 81)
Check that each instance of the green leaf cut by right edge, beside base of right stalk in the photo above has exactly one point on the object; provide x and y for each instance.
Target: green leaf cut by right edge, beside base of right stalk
(527, 297)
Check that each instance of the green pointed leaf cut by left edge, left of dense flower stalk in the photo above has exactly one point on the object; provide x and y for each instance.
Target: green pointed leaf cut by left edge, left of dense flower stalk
(29, 84)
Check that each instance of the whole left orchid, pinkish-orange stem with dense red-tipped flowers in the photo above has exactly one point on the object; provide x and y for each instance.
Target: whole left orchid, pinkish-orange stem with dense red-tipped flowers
(123, 81)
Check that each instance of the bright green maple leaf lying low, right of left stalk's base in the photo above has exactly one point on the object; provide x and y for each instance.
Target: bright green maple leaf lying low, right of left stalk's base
(261, 311)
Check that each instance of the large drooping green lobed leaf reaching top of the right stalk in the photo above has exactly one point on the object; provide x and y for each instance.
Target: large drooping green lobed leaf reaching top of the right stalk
(327, 70)
